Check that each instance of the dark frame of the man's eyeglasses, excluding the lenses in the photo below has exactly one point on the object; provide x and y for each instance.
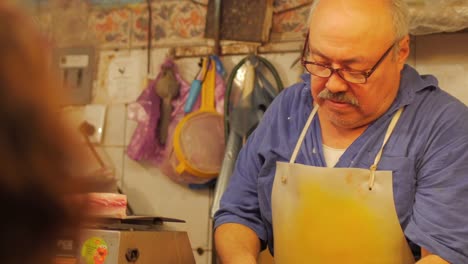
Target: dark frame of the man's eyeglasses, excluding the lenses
(365, 74)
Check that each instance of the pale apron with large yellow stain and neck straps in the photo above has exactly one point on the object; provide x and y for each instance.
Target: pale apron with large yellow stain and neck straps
(336, 215)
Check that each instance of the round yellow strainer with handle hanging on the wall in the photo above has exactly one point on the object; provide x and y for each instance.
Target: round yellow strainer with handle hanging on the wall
(199, 137)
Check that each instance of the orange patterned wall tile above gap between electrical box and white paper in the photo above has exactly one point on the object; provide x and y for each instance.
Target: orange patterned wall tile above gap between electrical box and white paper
(111, 27)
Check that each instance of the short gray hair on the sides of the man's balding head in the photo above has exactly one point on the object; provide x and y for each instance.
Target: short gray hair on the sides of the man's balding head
(399, 12)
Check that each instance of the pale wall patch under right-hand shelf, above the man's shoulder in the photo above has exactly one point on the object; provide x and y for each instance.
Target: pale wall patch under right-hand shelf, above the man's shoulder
(452, 78)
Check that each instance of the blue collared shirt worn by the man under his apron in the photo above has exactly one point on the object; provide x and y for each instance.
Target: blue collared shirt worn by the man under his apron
(427, 153)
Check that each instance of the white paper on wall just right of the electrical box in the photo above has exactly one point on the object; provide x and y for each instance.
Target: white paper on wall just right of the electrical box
(124, 79)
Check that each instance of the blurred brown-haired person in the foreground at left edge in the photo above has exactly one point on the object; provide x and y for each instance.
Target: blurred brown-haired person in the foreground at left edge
(36, 153)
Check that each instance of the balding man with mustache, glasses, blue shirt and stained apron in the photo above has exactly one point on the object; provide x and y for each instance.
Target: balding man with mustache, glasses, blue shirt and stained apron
(365, 161)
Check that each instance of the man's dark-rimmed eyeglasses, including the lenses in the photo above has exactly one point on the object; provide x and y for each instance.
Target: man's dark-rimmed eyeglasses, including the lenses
(351, 76)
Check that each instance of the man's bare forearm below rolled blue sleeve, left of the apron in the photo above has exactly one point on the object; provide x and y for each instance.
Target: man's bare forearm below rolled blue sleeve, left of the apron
(236, 243)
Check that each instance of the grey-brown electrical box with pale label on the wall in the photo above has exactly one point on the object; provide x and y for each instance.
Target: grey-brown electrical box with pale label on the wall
(76, 67)
